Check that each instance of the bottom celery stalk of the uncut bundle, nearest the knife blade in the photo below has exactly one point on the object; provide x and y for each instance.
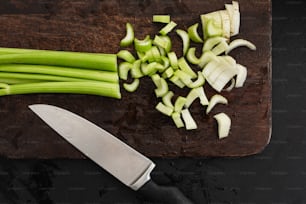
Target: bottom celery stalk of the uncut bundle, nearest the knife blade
(89, 87)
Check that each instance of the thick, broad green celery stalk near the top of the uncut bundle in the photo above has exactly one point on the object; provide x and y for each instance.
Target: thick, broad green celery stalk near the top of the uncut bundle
(105, 62)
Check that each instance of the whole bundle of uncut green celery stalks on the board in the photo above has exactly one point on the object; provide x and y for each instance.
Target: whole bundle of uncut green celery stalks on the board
(26, 71)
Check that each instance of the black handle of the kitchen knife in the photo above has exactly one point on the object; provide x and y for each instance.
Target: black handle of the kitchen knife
(163, 194)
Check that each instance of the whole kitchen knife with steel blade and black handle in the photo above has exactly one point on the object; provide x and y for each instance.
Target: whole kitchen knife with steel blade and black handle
(123, 162)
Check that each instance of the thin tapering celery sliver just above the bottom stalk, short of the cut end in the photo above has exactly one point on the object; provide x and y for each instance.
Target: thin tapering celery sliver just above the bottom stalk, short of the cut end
(18, 78)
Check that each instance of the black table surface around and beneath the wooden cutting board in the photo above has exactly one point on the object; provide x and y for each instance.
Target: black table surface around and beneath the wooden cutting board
(277, 175)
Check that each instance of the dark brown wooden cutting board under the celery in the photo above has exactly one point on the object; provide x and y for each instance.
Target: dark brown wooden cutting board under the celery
(98, 26)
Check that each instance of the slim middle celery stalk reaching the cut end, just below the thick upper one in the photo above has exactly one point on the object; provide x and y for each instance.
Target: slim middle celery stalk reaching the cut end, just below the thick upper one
(61, 71)
